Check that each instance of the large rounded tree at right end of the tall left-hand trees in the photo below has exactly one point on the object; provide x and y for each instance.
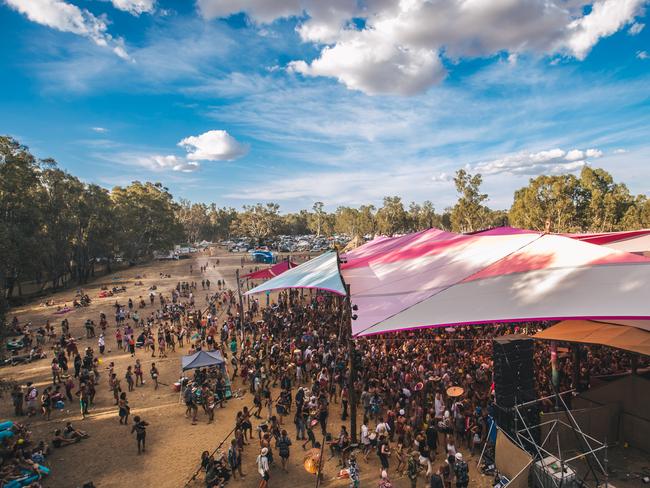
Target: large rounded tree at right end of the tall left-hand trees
(145, 215)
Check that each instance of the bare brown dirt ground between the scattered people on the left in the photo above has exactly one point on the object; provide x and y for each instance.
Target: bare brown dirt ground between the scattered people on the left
(109, 457)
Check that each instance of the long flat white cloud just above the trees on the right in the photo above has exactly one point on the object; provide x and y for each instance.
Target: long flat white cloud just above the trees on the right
(553, 161)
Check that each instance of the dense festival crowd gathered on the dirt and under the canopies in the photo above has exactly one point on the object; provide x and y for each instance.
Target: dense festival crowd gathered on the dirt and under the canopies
(292, 359)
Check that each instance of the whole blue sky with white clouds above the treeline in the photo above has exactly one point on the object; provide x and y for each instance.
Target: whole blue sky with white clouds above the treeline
(343, 101)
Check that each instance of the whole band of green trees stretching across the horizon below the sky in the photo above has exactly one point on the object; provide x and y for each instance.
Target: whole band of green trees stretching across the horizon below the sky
(56, 226)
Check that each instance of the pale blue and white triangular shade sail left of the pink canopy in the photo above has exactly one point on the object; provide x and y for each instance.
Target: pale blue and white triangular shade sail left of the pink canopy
(320, 273)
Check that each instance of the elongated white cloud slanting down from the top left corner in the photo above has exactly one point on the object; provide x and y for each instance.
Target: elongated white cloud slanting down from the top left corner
(67, 17)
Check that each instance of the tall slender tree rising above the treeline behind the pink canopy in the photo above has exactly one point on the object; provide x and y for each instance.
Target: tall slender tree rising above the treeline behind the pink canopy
(469, 214)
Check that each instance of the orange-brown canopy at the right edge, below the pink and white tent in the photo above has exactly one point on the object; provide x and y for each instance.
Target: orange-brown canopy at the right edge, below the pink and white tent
(626, 337)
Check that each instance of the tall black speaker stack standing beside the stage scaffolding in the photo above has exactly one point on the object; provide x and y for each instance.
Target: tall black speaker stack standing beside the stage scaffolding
(514, 382)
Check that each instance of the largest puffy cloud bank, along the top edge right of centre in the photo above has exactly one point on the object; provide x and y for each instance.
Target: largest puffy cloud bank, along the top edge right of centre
(394, 47)
